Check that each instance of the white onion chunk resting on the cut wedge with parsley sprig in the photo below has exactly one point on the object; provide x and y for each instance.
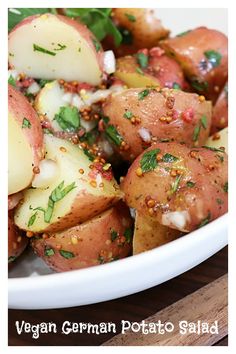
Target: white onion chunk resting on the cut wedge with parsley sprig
(48, 172)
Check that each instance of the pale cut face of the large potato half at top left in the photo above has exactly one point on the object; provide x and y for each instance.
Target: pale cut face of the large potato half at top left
(75, 62)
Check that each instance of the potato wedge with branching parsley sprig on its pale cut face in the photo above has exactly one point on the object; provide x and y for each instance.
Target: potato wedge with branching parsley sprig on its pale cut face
(80, 190)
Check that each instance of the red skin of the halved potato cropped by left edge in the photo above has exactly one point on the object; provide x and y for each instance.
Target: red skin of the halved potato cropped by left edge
(20, 108)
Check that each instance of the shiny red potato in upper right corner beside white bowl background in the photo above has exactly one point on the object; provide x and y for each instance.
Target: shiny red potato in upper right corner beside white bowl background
(189, 51)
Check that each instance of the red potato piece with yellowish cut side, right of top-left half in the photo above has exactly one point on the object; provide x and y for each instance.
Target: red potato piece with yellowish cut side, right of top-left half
(160, 71)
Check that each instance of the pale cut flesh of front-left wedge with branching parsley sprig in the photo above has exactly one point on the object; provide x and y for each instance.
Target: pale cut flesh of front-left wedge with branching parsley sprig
(70, 160)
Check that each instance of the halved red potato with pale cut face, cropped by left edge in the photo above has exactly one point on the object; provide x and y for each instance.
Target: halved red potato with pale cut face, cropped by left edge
(25, 139)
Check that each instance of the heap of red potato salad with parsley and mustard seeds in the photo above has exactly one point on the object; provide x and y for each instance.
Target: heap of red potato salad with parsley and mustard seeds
(117, 133)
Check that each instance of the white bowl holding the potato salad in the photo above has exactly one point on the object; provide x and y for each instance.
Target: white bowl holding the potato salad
(33, 286)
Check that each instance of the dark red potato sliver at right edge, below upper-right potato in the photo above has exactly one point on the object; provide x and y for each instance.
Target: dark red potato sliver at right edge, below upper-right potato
(220, 112)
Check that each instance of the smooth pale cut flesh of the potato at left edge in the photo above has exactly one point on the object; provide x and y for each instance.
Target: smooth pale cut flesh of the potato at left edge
(20, 158)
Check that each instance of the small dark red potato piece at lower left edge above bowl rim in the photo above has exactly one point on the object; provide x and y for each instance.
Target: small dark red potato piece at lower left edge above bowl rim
(16, 242)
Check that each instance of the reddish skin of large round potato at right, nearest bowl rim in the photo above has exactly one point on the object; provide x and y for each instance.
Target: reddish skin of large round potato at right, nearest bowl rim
(205, 200)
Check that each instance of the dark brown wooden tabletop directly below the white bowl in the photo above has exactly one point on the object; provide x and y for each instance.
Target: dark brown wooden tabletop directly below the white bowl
(133, 308)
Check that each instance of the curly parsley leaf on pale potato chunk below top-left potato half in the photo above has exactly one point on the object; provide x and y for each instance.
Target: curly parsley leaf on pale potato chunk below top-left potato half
(68, 118)
